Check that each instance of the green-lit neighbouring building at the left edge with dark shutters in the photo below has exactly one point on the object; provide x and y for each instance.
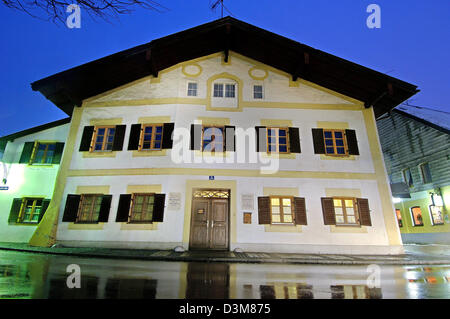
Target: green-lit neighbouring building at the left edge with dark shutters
(29, 164)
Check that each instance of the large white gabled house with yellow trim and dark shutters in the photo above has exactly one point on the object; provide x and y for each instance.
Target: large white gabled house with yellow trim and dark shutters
(122, 185)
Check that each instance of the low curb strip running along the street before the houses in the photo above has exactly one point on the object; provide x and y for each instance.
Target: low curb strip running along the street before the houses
(295, 261)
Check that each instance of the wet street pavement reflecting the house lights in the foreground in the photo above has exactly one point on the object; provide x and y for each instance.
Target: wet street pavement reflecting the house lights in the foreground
(30, 275)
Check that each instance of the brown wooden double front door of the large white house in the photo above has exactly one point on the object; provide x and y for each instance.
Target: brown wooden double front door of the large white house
(209, 224)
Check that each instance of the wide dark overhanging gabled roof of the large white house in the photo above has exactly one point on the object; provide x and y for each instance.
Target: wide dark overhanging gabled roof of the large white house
(69, 88)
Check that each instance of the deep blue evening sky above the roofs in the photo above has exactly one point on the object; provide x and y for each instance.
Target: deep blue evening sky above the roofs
(412, 44)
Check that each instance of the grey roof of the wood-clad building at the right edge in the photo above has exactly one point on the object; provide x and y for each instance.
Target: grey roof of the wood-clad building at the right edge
(437, 119)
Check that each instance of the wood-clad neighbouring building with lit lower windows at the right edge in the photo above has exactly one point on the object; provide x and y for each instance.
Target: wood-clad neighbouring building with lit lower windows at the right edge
(416, 146)
